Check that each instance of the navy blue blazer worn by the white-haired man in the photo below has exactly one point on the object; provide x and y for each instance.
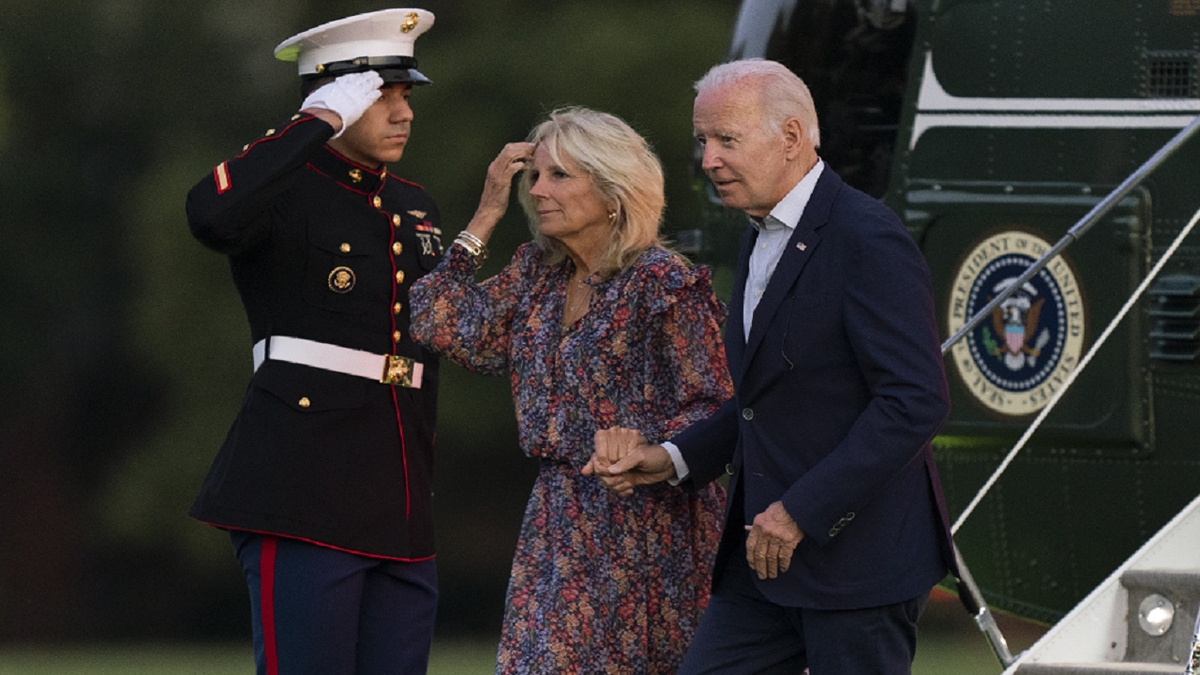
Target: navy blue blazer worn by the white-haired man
(839, 391)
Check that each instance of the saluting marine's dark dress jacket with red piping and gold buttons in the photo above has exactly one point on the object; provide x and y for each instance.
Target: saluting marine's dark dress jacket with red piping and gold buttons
(326, 250)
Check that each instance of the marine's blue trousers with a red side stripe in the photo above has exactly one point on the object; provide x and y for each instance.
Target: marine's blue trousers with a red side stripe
(323, 612)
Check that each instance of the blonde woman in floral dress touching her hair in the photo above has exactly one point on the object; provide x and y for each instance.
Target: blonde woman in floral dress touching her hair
(598, 326)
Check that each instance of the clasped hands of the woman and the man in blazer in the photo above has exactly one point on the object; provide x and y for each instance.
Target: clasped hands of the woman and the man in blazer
(637, 462)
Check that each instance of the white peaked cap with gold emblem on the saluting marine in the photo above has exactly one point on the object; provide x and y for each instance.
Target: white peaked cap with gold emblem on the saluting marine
(376, 41)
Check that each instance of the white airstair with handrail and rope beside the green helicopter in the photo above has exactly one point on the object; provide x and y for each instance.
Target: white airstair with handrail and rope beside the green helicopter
(1143, 620)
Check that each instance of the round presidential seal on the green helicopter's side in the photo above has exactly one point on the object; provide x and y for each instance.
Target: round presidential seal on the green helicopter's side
(1016, 360)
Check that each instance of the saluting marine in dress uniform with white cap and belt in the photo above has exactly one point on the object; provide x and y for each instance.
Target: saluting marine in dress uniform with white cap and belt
(326, 477)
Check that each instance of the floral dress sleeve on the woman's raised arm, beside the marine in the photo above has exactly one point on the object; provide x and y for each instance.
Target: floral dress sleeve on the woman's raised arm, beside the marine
(470, 324)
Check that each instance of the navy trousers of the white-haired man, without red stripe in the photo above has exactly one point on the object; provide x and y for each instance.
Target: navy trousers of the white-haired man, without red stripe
(742, 634)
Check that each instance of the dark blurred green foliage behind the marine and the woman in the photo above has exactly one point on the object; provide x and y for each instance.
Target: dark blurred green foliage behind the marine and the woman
(124, 351)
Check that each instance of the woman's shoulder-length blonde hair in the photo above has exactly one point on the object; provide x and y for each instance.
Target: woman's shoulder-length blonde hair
(625, 171)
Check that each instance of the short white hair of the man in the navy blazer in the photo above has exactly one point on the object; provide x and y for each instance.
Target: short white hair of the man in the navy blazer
(789, 97)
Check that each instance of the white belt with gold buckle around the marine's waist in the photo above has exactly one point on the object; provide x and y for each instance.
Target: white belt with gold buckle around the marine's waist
(381, 368)
